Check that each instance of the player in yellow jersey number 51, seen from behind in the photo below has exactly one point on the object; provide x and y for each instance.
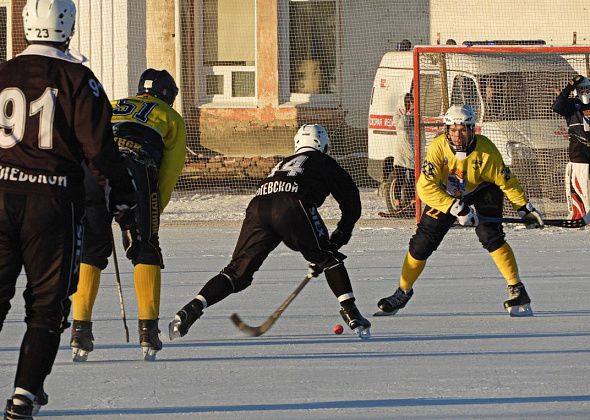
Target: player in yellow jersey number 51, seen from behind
(151, 136)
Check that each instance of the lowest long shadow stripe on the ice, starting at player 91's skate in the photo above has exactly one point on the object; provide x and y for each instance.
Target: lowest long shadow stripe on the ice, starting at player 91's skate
(325, 405)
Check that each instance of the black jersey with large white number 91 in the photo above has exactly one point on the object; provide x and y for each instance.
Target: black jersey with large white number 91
(53, 115)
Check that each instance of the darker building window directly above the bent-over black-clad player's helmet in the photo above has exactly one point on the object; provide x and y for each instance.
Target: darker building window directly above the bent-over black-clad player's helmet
(308, 50)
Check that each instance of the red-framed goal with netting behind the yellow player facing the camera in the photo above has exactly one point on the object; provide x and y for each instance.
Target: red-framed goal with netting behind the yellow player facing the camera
(512, 90)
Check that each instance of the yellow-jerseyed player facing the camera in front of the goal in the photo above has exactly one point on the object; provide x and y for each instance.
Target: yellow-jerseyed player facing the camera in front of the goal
(462, 176)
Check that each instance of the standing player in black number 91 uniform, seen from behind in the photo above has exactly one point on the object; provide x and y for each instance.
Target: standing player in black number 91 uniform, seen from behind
(54, 115)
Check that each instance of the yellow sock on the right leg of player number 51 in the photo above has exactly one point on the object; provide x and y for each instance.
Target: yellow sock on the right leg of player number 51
(147, 281)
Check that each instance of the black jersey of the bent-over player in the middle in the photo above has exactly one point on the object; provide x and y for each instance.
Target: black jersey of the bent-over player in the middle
(312, 176)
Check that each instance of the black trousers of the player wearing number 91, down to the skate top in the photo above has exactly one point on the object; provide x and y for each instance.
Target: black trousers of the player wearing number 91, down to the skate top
(43, 234)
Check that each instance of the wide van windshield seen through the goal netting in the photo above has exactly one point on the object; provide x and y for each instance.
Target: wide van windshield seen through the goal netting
(520, 95)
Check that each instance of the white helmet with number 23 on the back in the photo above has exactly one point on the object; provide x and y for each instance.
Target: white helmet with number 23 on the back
(49, 20)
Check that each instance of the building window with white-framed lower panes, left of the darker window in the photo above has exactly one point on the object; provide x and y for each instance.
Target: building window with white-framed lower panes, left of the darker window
(229, 51)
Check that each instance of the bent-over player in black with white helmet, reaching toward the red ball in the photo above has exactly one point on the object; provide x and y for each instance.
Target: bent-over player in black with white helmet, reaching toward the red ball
(285, 209)
